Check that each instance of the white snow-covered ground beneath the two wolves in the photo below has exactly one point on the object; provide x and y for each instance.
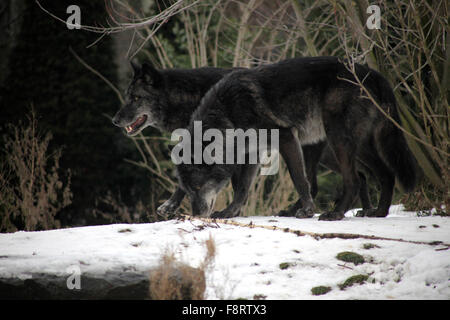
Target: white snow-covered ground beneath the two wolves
(248, 260)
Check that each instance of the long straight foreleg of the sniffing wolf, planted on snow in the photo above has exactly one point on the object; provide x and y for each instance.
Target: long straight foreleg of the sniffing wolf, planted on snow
(292, 153)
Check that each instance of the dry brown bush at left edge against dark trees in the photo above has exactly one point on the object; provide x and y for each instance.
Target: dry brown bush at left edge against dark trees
(31, 192)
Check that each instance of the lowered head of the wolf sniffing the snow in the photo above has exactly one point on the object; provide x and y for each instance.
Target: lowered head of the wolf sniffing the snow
(202, 183)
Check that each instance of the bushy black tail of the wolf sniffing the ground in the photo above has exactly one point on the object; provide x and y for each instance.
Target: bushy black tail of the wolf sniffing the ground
(391, 145)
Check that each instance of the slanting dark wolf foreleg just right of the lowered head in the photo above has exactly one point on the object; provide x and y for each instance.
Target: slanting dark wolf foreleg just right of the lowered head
(241, 185)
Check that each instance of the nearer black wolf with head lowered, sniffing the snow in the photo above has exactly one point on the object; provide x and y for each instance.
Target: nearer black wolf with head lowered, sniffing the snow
(309, 100)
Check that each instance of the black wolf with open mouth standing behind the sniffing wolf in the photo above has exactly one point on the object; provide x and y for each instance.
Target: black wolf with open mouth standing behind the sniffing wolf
(166, 99)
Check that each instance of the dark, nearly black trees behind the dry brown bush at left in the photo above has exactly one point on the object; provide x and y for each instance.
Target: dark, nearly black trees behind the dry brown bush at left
(40, 72)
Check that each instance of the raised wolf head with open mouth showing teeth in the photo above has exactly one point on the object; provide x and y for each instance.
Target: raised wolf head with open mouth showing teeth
(145, 101)
